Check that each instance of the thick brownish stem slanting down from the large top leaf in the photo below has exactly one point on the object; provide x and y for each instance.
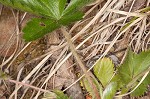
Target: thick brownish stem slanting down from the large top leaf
(73, 50)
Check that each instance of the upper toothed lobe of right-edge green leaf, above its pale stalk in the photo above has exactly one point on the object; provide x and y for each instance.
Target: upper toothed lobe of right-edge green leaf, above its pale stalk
(133, 65)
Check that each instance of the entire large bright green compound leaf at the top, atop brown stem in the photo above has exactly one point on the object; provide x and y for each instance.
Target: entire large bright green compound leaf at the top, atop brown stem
(56, 12)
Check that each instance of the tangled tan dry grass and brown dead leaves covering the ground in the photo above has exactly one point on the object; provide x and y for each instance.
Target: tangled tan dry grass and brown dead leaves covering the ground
(107, 29)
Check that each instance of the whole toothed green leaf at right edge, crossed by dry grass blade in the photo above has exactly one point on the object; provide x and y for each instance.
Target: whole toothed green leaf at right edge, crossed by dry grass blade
(130, 72)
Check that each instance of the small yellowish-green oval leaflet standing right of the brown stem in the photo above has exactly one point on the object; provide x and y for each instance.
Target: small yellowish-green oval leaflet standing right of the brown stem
(104, 70)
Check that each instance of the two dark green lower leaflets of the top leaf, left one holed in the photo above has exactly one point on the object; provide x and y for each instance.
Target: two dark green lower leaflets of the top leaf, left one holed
(38, 27)
